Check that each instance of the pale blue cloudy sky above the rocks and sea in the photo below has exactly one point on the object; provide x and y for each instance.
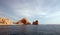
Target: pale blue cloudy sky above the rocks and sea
(45, 11)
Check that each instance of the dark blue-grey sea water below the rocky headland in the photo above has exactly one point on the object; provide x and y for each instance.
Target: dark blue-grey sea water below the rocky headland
(30, 30)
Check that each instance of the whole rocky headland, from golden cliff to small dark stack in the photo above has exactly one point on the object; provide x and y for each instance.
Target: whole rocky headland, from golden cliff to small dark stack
(23, 21)
